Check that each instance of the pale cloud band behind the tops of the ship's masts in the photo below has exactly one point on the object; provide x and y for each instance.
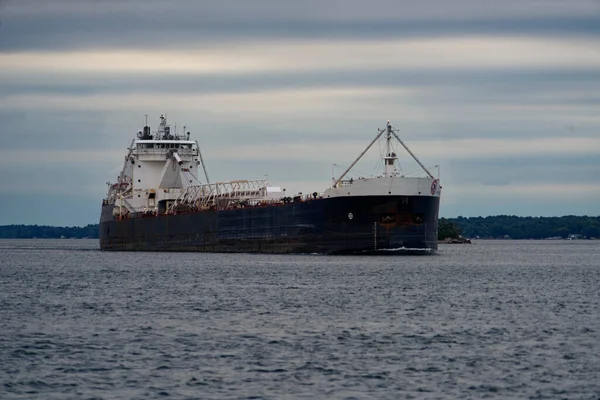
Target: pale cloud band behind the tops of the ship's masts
(347, 112)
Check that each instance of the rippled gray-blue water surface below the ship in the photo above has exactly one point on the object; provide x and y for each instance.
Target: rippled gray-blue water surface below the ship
(496, 319)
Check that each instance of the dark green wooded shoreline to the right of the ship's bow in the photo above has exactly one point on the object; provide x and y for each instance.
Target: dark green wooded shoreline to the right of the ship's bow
(514, 227)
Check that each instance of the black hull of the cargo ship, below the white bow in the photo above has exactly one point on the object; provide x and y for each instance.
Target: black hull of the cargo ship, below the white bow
(340, 225)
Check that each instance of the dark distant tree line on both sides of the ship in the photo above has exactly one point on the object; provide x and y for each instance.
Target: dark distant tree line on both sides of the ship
(501, 226)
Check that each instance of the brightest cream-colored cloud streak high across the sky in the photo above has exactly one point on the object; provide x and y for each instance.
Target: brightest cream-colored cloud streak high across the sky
(276, 56)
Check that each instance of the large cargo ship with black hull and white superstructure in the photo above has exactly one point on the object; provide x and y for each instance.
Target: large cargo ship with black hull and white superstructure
(159, 202)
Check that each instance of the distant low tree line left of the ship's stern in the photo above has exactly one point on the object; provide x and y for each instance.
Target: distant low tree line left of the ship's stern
(48, 232)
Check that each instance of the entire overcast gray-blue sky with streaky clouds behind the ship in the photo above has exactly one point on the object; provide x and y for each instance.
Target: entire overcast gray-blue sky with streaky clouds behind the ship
(503, 95)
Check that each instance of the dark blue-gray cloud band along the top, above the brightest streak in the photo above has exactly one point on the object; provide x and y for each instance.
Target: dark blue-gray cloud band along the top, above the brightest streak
(86, 24)
